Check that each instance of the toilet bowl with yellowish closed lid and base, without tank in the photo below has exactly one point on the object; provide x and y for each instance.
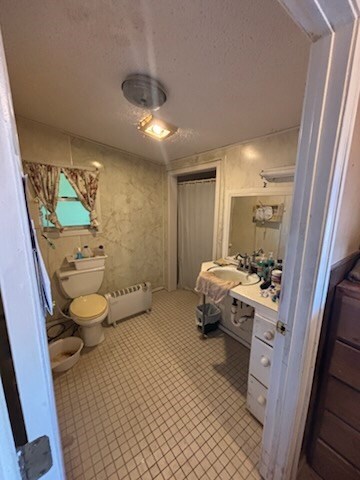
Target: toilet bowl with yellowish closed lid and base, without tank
(88, 311)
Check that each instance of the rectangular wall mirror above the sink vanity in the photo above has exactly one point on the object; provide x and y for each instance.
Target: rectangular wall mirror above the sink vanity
(260, 221)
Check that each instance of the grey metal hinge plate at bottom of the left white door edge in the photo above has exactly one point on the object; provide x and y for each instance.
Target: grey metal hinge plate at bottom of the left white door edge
(35, 458)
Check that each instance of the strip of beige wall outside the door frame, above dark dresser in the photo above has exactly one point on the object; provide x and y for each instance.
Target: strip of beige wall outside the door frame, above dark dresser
(347, 238)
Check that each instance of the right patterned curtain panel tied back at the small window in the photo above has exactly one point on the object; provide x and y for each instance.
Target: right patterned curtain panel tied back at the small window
(85, 183)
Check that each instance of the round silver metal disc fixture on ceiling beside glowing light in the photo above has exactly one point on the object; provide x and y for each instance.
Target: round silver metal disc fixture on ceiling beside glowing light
(144, 91)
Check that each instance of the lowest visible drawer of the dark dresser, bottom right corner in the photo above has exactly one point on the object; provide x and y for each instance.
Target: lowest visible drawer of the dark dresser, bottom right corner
(331, 466)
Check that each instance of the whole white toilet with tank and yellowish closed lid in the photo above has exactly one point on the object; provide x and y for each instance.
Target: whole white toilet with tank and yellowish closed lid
(88, 309)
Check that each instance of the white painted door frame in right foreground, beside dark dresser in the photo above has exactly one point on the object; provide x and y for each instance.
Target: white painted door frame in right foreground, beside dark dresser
(329, 112)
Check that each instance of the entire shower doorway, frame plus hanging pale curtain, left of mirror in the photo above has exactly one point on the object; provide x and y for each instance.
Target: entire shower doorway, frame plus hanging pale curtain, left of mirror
(209, 178)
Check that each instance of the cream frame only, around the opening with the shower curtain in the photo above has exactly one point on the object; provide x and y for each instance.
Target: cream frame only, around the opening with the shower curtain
(172, 177)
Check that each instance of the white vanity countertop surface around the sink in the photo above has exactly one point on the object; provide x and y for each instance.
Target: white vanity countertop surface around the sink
(250, 294)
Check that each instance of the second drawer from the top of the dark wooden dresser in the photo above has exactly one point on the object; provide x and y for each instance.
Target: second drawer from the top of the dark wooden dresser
(345, 364)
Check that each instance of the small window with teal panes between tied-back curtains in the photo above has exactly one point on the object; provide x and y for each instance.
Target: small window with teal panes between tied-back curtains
(69, 210)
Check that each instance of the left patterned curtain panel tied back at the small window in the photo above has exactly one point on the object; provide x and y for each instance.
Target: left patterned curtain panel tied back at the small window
(45, 181)
